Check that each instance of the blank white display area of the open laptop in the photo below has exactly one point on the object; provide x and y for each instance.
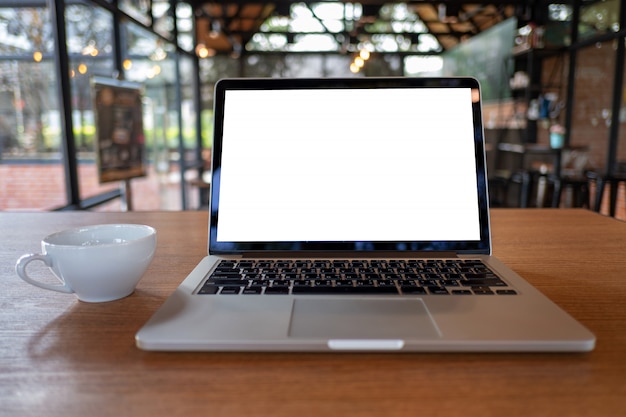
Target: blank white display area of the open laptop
(389, 164)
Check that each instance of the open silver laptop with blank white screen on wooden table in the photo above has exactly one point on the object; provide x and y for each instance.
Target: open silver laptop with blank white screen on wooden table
(352, 215)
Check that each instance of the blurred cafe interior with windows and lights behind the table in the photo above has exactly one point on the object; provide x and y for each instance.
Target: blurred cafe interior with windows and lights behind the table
(552, 74)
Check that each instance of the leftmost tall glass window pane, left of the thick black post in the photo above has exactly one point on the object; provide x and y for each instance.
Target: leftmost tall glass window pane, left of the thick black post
(31, 171)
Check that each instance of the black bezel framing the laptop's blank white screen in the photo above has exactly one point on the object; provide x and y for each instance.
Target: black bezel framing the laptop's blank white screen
(481, 246)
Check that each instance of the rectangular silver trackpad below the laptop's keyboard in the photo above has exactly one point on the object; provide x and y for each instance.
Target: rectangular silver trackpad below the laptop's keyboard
(360, 318)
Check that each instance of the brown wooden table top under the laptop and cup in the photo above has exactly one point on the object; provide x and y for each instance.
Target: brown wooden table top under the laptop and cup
(62, 357)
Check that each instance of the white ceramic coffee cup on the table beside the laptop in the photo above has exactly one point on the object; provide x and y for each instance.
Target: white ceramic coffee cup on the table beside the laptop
(97, 263)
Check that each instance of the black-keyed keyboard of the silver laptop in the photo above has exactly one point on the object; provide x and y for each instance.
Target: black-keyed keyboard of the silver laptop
(401, 277)
